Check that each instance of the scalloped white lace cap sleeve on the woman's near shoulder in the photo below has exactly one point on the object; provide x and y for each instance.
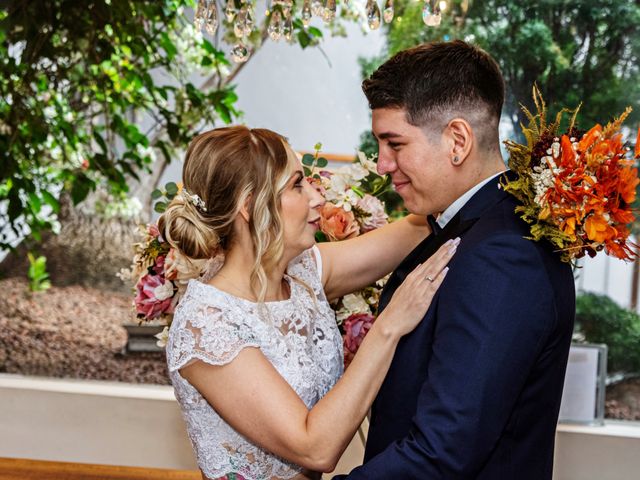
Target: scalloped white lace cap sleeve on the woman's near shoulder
(209, 334)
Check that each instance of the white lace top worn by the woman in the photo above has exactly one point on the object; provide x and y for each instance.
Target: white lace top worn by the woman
(214, 326)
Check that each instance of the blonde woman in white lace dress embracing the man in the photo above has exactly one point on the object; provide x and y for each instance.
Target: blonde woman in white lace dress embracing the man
(254, 354)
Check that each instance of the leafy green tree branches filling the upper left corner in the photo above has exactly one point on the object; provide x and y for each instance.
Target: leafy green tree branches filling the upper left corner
(78, 79)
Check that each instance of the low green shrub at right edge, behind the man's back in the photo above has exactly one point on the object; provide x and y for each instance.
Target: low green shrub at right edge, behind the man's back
(601, 320)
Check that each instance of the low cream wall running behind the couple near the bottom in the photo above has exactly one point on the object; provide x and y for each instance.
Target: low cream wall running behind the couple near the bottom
(133, 425)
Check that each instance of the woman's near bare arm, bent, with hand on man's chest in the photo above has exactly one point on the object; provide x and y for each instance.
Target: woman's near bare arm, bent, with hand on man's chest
(250, 395)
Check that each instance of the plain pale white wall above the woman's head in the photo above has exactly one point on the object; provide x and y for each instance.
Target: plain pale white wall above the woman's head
(299, 94)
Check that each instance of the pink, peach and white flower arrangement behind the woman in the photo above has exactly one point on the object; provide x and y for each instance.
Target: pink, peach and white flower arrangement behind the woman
(353, 207)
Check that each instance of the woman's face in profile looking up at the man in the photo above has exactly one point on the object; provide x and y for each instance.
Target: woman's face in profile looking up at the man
(300, 208)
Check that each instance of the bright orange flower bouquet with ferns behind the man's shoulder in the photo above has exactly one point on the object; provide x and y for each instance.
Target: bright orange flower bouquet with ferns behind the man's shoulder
(576, 188)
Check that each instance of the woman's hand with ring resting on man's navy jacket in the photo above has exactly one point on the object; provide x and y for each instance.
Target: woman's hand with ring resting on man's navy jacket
(413, 297)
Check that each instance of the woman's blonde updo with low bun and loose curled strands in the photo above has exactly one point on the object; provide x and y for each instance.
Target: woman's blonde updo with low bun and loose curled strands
(225, 167)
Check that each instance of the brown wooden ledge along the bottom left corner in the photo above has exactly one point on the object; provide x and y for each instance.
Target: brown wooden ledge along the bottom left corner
(25, 469)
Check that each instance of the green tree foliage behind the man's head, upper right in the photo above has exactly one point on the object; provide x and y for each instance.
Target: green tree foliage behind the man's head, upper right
(584, 51)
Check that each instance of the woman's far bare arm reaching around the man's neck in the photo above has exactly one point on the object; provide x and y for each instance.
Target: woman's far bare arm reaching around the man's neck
(352, 264)
